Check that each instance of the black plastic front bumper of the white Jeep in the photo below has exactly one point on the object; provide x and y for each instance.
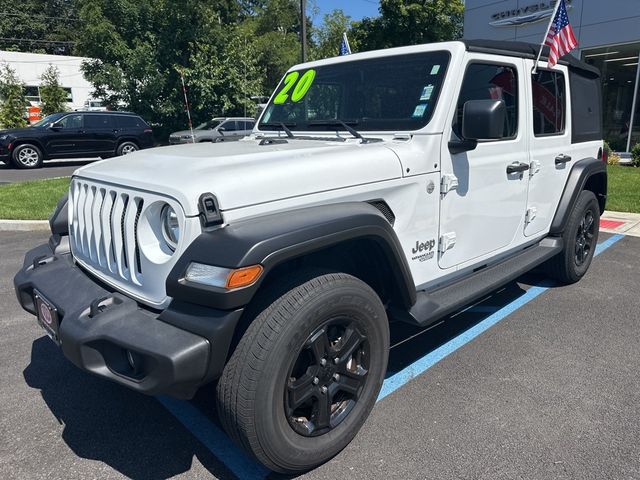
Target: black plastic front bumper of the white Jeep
(174, 351)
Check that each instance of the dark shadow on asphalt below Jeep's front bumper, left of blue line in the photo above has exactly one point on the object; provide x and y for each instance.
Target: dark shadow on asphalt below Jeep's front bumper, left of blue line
(130, 432)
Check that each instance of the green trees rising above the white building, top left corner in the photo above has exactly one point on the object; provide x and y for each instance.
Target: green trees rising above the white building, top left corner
(38, 26)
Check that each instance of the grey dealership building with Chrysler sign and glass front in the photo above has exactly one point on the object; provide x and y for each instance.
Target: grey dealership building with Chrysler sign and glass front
(609, 36)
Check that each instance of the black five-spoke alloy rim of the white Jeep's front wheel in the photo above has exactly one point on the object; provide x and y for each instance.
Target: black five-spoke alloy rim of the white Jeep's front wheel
(327, 378)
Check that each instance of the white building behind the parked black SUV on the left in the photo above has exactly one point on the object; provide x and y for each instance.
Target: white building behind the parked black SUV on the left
(29, 68)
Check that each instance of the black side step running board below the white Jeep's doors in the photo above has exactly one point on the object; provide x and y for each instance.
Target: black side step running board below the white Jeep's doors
(432, 305)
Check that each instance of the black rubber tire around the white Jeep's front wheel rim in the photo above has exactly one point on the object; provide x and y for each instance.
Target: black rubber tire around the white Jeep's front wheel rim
(251, 392)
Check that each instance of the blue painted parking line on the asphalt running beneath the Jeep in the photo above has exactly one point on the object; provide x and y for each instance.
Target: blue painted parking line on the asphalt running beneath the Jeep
(244, 467)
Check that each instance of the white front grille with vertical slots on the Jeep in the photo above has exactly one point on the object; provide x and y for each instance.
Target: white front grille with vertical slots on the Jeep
(111, 235)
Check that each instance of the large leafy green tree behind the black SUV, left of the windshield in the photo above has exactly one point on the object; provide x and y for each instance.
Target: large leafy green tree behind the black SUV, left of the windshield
(139, 47)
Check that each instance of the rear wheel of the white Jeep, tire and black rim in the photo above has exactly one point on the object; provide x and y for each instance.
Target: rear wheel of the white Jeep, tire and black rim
(580, 240)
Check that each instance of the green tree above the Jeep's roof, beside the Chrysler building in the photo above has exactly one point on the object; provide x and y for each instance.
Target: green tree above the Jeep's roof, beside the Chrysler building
(410, 22)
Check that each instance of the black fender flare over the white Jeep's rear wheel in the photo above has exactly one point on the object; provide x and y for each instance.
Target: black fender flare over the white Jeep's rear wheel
(584, 173)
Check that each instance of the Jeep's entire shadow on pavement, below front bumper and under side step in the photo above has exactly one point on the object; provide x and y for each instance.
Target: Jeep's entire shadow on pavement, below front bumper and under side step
(136, 436)
